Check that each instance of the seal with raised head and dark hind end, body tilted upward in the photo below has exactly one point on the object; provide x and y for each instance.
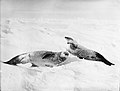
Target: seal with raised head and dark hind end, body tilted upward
(84, 53)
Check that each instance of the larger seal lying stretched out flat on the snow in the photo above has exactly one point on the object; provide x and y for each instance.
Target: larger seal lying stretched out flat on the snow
(40, 58)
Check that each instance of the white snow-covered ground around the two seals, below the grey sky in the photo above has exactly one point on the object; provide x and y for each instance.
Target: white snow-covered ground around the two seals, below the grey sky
(25, 35)
